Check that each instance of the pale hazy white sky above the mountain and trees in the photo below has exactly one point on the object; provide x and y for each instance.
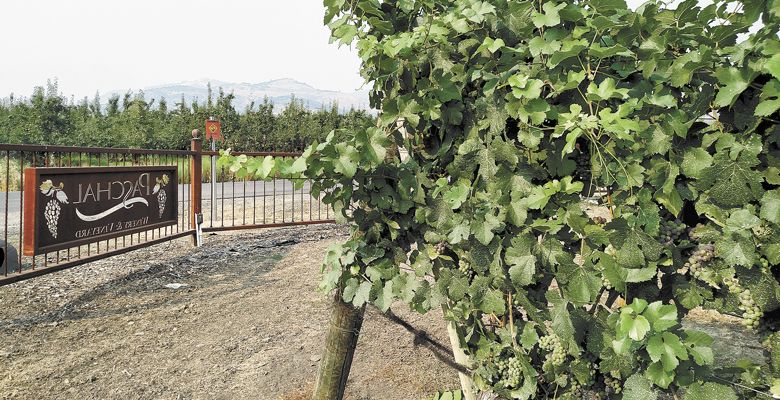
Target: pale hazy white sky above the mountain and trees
(91, 45)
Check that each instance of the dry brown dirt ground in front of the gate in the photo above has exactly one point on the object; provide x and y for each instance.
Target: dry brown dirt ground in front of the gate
(238, 318)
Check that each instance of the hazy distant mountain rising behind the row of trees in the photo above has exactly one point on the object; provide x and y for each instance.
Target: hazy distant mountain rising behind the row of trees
(278, 91)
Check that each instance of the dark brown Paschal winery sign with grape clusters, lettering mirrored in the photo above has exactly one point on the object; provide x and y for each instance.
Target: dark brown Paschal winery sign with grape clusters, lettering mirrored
(69, 207)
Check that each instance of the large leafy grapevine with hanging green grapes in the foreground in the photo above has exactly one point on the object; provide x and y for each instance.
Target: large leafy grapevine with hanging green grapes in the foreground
(512, 113)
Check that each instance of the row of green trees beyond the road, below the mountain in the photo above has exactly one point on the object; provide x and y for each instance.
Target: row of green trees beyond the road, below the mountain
(133, 121)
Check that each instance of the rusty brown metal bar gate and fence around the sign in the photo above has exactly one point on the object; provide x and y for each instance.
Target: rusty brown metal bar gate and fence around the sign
(224, 203)
